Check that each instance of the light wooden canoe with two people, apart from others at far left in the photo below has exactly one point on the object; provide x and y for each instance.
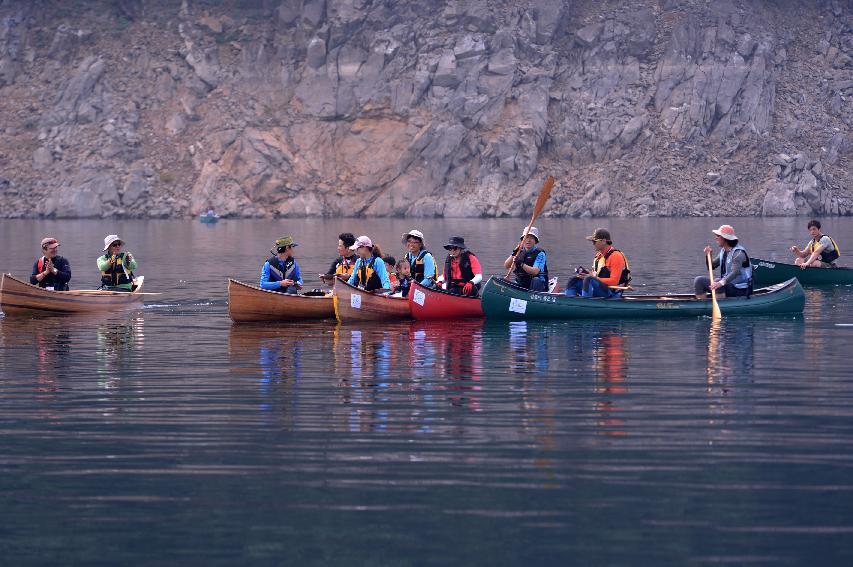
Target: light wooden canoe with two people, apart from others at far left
(21, 298)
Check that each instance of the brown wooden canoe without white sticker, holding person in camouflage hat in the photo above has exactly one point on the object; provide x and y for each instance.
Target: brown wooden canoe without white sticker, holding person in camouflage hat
(248, 303)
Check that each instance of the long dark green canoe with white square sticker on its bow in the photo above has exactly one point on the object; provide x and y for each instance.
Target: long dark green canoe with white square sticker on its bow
(504, 300)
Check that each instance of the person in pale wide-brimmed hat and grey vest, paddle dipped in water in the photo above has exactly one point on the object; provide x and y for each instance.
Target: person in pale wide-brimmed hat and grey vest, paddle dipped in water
(735, 267)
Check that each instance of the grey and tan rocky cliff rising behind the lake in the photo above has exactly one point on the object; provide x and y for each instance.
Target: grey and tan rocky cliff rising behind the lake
(156, 108)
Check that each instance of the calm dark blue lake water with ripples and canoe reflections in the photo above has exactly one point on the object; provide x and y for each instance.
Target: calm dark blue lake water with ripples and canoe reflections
(167, 435)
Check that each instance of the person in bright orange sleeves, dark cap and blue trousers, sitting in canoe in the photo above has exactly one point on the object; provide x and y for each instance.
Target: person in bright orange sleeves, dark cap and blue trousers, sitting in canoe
(610, 272)
